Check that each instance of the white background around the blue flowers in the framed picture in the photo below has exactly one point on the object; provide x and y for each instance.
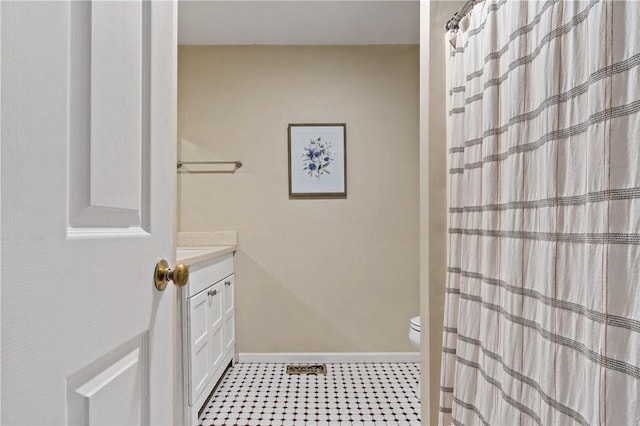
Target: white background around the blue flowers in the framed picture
(301, 182)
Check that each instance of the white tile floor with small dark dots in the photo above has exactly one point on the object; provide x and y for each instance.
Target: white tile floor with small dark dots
(350, 394)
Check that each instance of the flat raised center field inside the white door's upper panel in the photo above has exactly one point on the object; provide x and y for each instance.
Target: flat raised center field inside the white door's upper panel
(117, 106)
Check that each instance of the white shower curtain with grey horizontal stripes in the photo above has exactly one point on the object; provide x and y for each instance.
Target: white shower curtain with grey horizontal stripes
(542, 315)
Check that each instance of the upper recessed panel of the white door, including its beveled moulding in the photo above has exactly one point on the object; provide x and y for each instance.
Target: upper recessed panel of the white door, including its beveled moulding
(109, 115)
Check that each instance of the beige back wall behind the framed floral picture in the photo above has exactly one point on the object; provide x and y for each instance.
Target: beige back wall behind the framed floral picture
(313, 275)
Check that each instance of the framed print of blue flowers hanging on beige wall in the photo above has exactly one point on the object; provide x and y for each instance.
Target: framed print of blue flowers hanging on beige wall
(317, 160)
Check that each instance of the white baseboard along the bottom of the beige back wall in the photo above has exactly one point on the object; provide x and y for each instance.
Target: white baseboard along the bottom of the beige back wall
(328, 357)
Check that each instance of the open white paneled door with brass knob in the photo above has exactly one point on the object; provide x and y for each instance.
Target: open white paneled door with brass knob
(88, 175)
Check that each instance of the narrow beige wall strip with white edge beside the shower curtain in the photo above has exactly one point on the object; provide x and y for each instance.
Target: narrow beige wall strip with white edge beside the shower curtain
(433, 209)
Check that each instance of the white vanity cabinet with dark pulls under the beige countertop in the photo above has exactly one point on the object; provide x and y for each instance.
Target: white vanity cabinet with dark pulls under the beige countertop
(207, 332)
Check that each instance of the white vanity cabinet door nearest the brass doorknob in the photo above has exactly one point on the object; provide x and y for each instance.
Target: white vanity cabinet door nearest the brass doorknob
(200, 347)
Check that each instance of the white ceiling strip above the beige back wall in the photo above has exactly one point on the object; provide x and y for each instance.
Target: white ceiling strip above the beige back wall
(298, 22)
